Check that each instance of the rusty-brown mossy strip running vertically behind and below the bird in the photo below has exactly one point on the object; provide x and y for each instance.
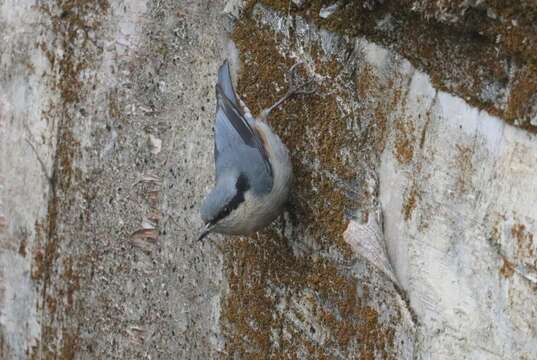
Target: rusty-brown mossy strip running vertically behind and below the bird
(286, 305)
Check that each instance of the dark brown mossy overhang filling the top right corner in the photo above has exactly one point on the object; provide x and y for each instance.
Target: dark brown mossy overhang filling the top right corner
(472, 57)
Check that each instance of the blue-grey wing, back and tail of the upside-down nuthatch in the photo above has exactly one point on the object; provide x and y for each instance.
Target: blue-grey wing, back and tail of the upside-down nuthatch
(237, 144)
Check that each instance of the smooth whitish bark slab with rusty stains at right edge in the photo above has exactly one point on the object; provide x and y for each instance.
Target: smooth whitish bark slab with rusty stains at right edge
(464, 248)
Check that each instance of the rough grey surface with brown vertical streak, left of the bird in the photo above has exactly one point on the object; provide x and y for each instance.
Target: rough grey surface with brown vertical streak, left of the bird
(99, 262)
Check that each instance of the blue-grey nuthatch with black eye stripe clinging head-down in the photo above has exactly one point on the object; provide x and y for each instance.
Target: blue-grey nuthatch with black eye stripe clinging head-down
(253, 169)
